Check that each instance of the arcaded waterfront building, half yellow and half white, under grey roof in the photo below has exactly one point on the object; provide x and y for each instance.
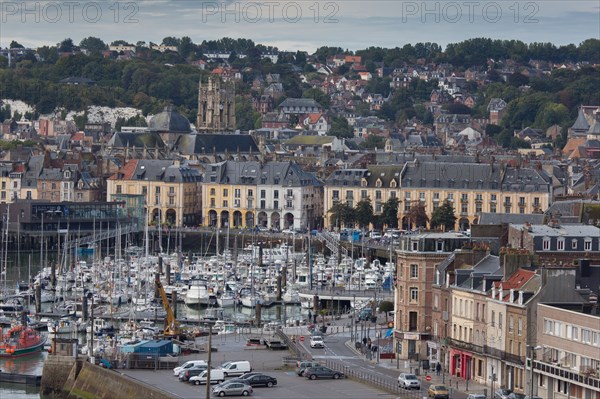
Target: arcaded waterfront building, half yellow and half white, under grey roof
(274, 195)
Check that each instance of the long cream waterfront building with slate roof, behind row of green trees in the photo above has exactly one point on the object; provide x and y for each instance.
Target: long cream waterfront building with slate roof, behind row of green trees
(472, 188)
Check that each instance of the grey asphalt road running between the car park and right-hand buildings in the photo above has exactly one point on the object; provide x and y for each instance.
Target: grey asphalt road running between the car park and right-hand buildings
(340, 351)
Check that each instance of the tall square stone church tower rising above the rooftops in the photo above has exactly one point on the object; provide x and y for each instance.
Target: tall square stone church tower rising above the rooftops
(216, 106)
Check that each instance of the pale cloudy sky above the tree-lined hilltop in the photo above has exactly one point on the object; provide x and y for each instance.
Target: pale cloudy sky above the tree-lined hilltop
(300, 24)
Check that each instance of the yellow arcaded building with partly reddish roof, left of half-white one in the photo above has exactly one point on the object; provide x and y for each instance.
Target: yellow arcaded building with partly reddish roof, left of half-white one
(171, 190)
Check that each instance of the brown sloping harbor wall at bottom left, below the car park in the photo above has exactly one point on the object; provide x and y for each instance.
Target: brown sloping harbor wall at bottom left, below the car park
(63, 377)
